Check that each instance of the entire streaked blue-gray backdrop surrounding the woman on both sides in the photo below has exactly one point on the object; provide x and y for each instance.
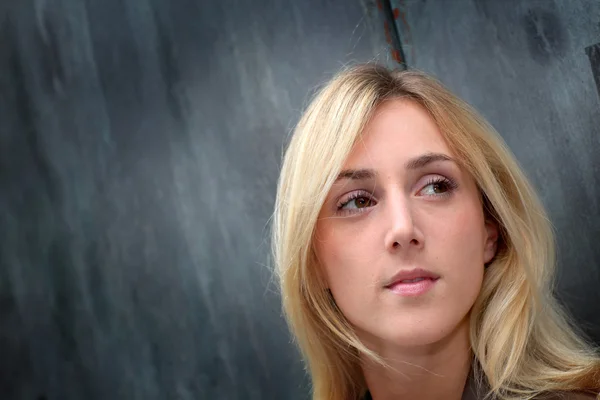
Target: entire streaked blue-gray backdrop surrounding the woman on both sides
(140, 143)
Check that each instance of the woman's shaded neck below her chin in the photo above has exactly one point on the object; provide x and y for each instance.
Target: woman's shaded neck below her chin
(435, 371)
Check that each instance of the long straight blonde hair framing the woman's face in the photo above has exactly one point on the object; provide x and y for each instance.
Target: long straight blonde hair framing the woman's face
(523, 342)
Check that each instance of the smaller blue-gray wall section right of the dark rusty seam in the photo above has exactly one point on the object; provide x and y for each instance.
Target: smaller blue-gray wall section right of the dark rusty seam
(524, 65)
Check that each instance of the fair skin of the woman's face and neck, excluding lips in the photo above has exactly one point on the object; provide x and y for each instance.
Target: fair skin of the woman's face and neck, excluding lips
(409, 206)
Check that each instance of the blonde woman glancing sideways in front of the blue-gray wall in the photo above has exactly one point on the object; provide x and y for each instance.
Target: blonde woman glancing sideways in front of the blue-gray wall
(414, 258)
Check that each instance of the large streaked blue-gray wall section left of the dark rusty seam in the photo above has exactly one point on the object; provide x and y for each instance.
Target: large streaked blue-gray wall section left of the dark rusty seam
(140, 143)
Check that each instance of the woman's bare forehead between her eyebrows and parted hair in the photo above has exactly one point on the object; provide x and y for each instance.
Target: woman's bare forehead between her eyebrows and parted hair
(399, 130)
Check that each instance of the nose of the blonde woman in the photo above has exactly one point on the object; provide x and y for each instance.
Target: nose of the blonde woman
(401, 231)
